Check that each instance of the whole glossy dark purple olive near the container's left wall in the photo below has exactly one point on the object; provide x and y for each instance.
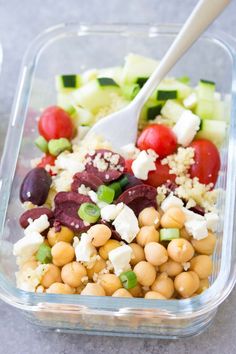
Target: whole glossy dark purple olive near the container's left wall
(35, 186)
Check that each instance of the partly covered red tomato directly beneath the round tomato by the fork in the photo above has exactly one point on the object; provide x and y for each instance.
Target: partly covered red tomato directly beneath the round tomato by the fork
(160, 175)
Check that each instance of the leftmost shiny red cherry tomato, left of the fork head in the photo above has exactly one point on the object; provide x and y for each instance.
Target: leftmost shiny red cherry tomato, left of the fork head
(55, 123)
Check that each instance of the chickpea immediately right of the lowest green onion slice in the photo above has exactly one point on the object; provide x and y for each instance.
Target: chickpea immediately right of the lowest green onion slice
(145, 272)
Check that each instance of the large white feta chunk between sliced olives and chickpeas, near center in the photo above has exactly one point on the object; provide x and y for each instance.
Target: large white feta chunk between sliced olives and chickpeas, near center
(126, 224)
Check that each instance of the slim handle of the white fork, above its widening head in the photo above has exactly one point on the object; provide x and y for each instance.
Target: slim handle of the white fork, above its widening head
(202, 16)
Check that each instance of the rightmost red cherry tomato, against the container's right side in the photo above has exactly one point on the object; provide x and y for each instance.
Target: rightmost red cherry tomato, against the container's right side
(207, 161)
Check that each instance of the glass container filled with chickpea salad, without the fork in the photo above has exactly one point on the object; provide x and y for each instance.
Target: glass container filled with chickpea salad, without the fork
(131, 242)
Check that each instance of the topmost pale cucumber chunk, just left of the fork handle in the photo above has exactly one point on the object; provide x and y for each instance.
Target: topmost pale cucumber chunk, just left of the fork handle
(137, 66)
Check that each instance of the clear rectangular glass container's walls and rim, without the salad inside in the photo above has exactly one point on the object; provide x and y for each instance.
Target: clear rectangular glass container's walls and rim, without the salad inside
(73, 48)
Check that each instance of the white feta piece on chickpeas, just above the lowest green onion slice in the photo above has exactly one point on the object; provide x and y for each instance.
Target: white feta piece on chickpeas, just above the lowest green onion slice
(120, 258)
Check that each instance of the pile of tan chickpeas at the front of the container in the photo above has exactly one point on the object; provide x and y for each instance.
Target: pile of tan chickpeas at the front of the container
(165, 270)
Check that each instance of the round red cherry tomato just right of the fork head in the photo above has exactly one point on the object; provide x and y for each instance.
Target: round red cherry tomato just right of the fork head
(159, 138)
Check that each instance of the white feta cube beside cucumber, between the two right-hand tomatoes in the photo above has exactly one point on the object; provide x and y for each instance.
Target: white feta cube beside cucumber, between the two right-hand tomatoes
(186, 127)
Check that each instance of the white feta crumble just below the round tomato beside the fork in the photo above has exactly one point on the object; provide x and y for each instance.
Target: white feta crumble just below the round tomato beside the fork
(143, 164)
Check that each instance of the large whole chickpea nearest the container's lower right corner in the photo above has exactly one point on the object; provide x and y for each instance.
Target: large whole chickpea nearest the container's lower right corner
(186, 283)
